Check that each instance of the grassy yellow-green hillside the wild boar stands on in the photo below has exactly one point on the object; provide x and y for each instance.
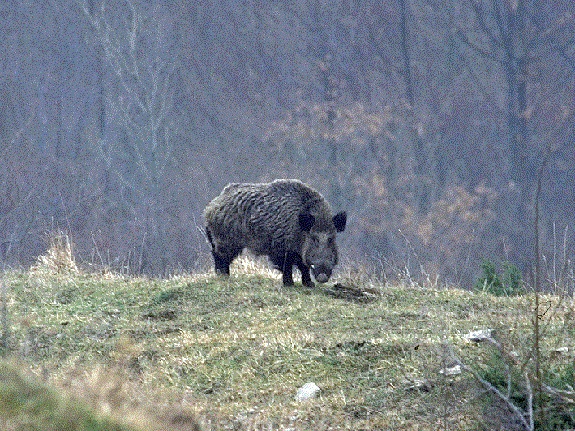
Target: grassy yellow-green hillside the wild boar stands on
(234, 352)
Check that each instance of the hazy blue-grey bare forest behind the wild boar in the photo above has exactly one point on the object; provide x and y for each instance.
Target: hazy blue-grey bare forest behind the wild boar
(427, 120)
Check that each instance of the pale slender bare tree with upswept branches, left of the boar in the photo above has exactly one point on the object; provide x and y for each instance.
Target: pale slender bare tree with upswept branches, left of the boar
(136, 46)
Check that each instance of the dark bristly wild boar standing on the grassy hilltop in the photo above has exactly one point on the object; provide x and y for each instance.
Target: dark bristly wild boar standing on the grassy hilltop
(286, 220)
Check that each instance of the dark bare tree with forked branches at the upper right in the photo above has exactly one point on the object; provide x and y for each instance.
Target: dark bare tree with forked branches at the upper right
(519, 36)
